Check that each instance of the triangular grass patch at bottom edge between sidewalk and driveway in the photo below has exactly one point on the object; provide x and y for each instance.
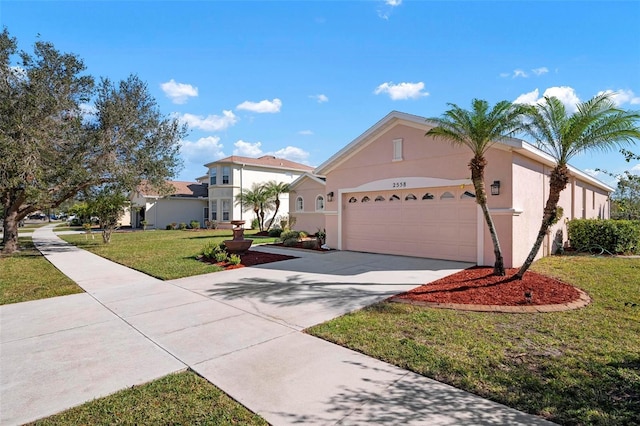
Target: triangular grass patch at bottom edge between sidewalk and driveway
(178, 399)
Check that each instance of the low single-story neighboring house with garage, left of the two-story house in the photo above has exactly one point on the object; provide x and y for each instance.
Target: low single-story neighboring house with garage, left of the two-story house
(188, 202)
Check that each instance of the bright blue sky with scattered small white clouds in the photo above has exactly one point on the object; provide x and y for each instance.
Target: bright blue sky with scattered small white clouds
(302, 79)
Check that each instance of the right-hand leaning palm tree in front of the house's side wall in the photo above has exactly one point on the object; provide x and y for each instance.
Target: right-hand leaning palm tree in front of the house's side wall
(596, 125)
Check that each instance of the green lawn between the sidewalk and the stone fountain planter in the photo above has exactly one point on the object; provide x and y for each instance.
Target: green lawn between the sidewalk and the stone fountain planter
(162, 254)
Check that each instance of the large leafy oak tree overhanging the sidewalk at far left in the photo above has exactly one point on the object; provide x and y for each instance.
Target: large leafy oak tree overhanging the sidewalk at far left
(61, 134)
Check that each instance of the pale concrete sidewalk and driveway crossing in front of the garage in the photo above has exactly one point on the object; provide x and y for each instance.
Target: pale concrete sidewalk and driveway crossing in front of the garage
(240, 329)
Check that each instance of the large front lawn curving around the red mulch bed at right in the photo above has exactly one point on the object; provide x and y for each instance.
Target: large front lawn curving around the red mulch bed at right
(574, 367)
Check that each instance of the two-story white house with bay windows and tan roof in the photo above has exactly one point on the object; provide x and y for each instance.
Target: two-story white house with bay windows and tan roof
(229, 176)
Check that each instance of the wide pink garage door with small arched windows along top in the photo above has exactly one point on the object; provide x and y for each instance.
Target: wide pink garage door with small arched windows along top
(438, 223)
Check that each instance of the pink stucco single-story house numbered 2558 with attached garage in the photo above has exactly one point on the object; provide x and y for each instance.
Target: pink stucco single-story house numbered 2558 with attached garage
(394, 191)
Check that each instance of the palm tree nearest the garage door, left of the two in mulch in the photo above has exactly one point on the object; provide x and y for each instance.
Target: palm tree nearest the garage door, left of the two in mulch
(478, 130)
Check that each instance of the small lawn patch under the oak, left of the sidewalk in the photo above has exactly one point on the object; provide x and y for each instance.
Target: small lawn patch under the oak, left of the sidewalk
(27, 275)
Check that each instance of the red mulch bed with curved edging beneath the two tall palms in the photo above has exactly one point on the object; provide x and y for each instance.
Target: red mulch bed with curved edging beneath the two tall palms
(478, 286)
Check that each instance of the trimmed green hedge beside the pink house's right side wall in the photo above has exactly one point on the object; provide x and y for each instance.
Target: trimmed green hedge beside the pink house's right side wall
(615, 236)
